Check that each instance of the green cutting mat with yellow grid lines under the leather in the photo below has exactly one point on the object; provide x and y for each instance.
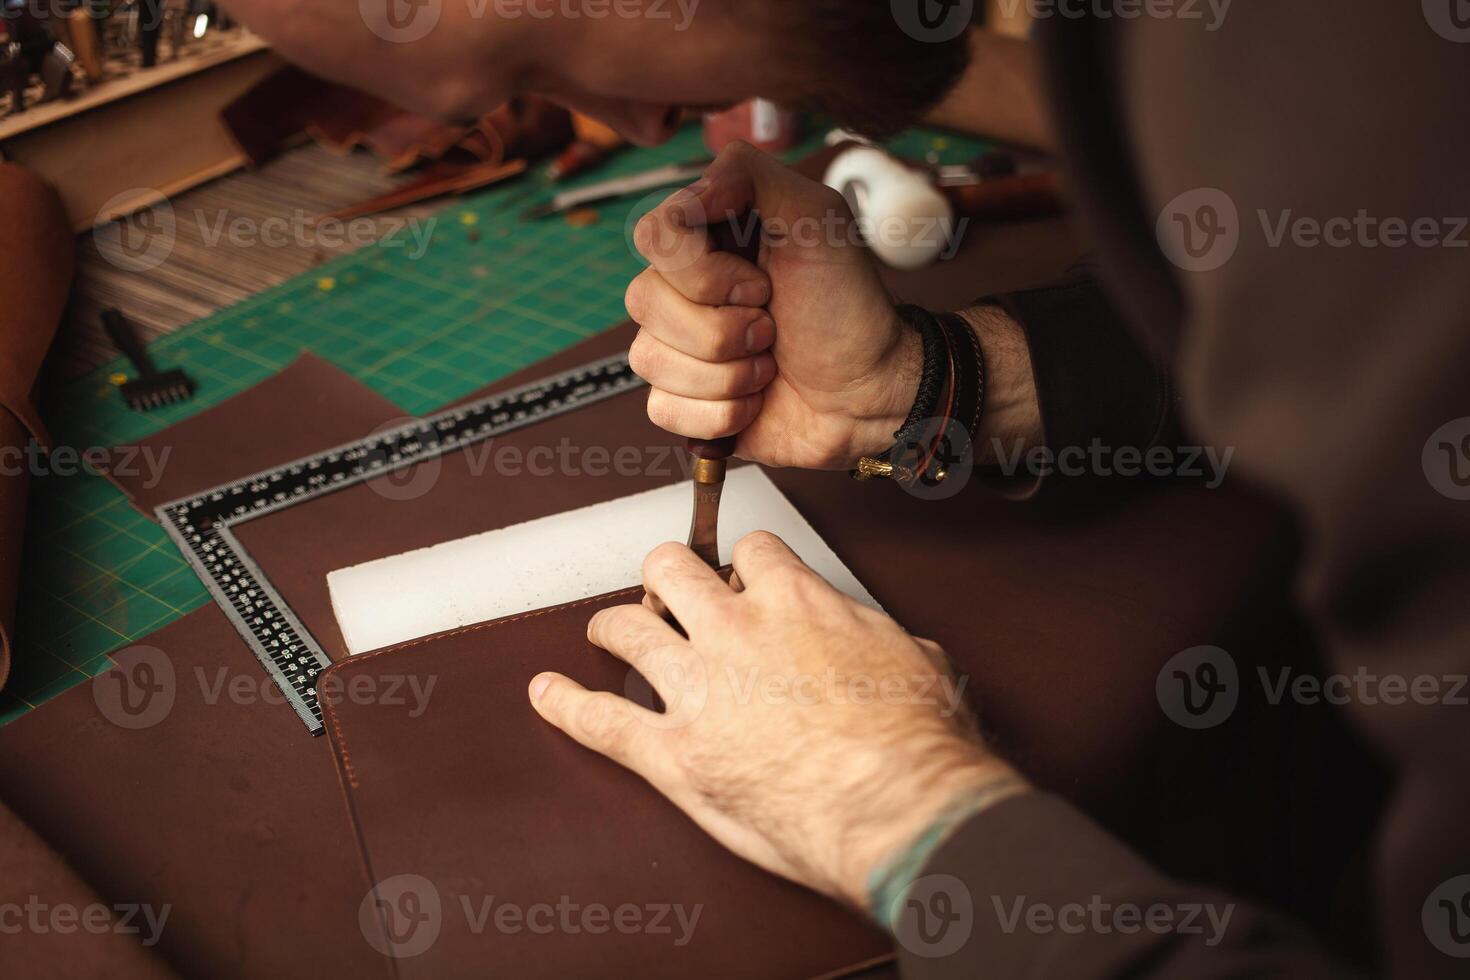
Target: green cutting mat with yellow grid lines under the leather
(490, 295)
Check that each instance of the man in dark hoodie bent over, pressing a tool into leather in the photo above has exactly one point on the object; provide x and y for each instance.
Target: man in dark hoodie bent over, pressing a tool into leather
(1280, 202)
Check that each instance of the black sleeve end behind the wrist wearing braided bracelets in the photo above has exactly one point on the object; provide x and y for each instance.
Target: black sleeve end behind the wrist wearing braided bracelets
(1099, 389)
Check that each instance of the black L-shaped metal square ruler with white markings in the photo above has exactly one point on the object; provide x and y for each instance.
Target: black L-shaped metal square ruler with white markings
(202, 524)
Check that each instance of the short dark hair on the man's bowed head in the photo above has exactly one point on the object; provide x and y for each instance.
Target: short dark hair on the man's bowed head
(874, 76)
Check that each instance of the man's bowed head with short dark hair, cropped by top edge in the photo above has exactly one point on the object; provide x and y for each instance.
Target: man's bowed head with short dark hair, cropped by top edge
(633, 64)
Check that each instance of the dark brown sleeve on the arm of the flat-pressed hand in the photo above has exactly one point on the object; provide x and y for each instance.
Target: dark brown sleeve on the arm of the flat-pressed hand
(1031, 888)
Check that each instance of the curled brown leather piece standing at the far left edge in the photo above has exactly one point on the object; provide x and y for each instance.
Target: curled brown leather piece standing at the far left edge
(37, 246)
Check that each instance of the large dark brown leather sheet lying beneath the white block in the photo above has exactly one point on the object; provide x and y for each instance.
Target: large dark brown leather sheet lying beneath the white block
(1062, 621)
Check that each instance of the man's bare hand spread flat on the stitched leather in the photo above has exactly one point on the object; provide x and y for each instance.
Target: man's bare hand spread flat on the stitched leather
(806, 732)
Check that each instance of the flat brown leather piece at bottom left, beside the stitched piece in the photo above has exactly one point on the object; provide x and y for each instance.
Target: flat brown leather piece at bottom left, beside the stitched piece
(180, 779)
